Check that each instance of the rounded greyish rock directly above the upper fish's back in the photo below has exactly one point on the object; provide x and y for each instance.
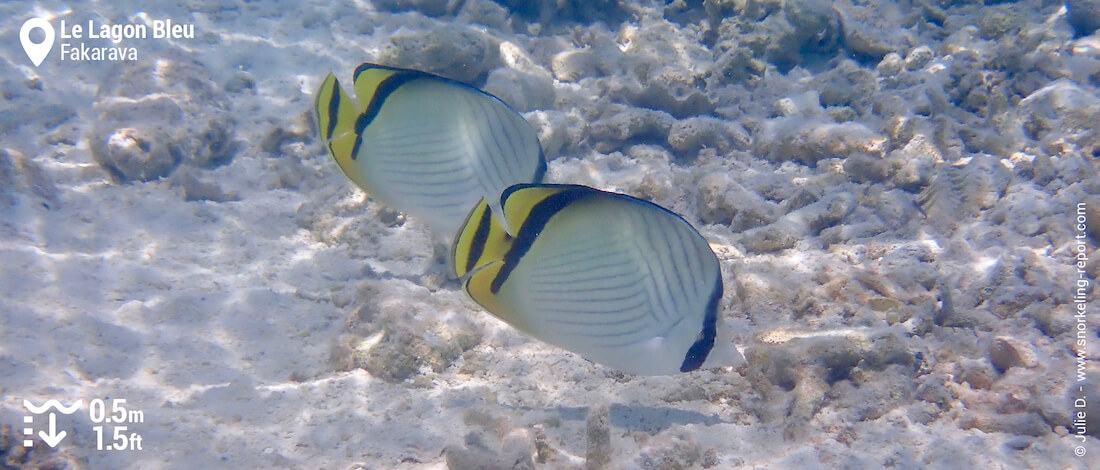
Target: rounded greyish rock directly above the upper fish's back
(456, 52)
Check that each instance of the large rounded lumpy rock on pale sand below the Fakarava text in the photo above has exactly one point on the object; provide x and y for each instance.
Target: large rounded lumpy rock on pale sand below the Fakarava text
(158, 115)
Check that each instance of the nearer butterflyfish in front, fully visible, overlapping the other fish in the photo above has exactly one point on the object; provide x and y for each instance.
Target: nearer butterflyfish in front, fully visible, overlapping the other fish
(620, 281)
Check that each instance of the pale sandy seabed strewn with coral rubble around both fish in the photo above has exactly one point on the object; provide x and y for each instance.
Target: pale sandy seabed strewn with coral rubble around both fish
(904, 196)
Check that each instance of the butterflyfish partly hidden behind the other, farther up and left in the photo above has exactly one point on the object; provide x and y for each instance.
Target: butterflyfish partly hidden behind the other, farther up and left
(424, 145)
